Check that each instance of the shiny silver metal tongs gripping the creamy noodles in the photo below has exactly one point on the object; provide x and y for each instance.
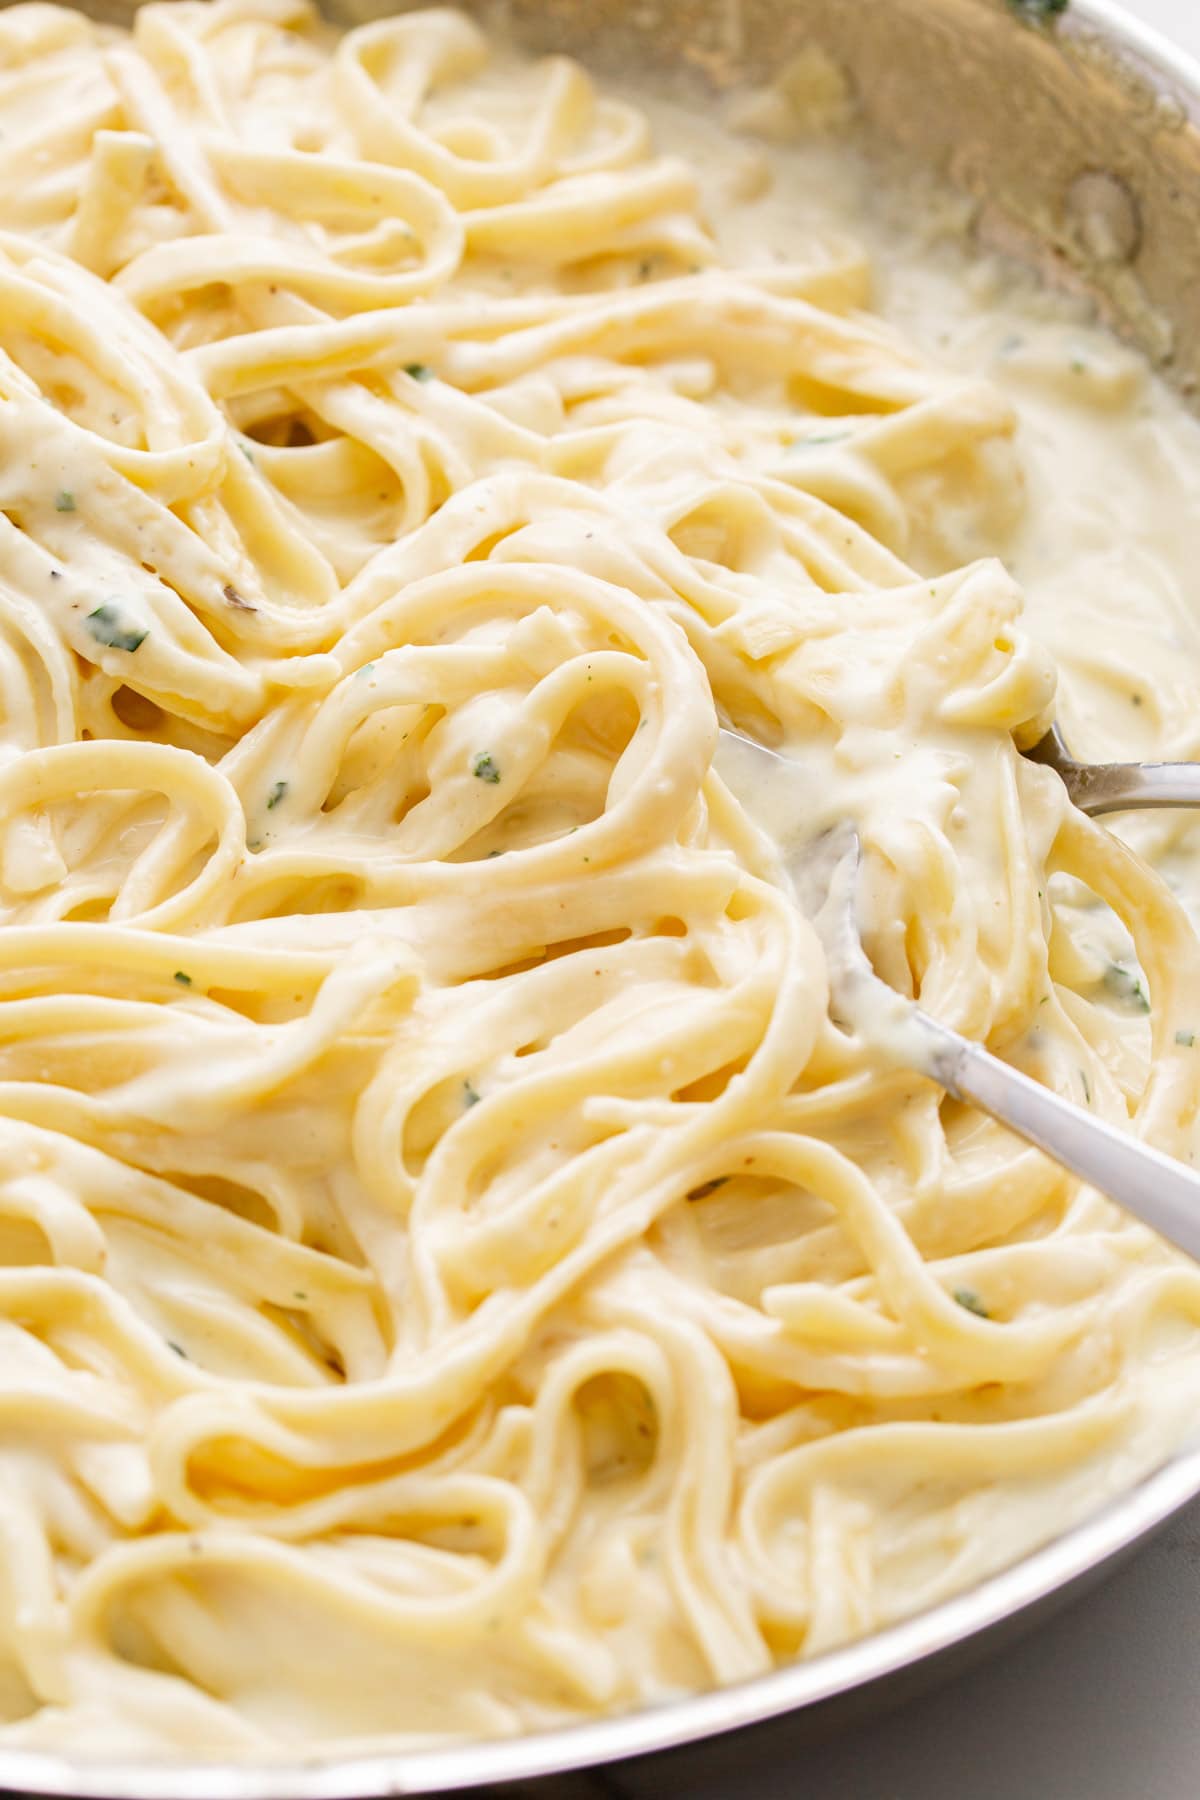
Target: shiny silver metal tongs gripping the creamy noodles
(1160, 1191)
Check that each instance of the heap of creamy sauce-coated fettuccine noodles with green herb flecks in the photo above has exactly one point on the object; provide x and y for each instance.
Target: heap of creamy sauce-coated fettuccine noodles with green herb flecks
(454, 1275)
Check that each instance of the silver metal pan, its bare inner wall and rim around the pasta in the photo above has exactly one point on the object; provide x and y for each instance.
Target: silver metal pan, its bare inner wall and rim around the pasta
(1052, 121)
